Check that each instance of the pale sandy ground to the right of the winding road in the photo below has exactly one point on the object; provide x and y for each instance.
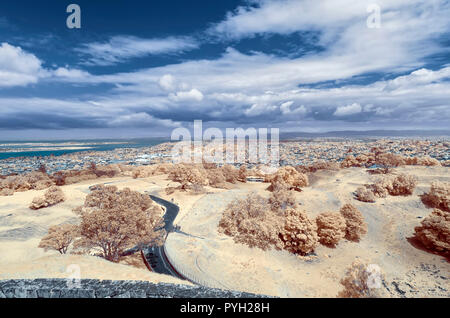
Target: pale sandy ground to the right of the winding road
(219, 262)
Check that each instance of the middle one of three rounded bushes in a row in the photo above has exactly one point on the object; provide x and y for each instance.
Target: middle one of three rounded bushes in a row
(331, 228)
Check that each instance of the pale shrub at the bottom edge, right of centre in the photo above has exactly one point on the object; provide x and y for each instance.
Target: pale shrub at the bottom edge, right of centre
(359, 282)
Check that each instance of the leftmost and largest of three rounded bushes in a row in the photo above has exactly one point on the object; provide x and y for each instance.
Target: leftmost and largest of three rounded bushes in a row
(299, 234)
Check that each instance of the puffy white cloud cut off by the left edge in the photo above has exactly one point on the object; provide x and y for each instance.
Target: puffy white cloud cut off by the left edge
(17, 67)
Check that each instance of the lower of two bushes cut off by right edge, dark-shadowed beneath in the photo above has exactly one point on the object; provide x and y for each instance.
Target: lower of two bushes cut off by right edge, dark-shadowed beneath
(434, 232)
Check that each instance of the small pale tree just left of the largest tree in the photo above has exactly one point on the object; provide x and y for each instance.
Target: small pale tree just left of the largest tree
(59, 238)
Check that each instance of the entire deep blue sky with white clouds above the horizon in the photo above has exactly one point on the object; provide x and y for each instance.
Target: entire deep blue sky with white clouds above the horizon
(143, 68)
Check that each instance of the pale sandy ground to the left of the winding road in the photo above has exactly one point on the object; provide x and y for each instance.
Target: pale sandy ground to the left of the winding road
(21, 230)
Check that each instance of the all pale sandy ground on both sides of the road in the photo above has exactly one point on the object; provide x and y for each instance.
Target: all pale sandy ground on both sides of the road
(219, 262)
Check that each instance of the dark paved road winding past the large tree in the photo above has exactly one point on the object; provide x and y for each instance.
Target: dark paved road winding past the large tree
(155, 255)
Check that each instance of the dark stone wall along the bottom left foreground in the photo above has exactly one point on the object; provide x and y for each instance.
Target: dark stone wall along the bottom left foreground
(92, 288)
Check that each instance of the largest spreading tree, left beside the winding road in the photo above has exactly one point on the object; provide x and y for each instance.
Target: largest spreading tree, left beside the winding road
(113, 221)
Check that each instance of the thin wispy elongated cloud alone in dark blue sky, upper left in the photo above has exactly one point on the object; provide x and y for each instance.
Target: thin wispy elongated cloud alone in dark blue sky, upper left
(121, 48)
